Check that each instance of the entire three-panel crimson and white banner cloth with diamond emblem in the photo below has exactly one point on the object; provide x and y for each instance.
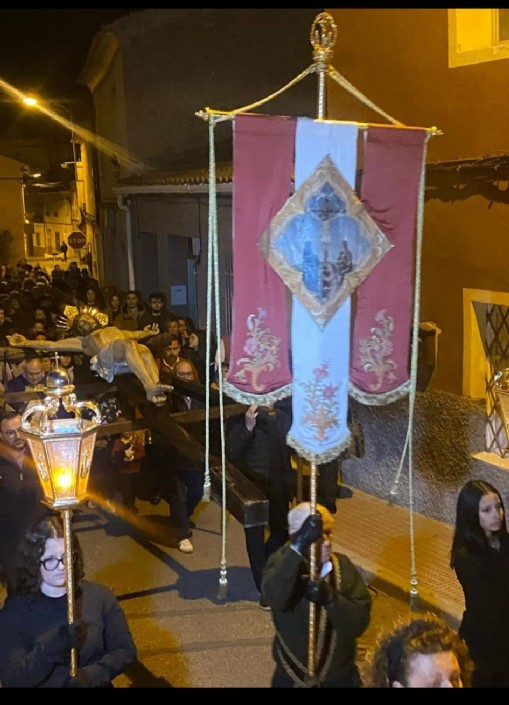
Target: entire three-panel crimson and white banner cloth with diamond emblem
(325, 244)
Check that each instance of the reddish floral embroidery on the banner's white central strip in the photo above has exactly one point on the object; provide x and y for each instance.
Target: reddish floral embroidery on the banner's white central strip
(320, 404)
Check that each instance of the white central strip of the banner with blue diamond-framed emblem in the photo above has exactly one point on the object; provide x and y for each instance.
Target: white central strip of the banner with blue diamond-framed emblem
(323, 244)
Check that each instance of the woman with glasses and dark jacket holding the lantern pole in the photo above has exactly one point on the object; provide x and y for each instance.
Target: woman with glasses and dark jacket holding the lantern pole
(35, 638)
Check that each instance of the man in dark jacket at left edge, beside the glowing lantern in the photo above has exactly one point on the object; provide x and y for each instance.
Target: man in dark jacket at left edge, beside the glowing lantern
(20, 494)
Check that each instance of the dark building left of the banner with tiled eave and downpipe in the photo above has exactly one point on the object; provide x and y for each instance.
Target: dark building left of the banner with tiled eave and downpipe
(149, 73)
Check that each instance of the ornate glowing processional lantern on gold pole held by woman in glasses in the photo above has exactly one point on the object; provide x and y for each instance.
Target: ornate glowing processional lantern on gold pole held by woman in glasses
(62, 450)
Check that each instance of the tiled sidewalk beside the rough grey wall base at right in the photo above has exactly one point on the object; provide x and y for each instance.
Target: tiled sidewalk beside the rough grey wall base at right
(376, 536)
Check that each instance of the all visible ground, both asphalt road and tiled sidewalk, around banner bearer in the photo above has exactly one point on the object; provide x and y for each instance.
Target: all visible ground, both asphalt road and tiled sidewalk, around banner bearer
(189, 635)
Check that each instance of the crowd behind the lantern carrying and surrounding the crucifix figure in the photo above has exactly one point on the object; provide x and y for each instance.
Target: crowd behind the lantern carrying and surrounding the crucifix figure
(100, 332)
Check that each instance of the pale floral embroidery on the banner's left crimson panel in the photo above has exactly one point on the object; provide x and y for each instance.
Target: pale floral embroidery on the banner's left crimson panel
(262, 348)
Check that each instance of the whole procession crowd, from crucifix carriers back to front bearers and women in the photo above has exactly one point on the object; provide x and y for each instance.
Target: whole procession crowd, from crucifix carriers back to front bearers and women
(101, 332)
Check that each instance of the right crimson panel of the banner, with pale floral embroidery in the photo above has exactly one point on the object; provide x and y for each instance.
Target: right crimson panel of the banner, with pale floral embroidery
(393, 162)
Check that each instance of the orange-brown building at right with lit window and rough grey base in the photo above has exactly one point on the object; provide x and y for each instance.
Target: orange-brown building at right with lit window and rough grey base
(443, 68)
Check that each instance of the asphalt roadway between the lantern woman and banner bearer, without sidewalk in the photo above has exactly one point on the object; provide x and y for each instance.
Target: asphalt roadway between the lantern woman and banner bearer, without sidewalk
(186, 635)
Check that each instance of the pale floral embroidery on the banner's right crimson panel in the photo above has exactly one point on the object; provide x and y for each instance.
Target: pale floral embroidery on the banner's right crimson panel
(375, 351)
